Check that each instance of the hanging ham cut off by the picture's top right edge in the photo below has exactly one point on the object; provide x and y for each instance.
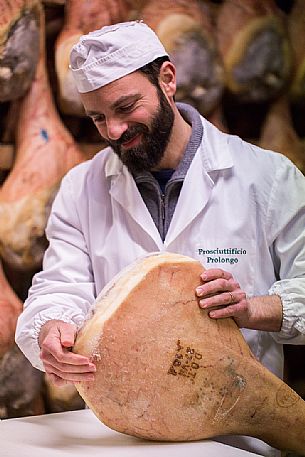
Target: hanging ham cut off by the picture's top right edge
(297, 36)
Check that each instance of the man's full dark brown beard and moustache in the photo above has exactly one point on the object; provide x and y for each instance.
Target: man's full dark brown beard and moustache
(154, 139)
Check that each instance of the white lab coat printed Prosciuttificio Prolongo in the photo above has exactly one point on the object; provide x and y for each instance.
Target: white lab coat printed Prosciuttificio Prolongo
(237, 202)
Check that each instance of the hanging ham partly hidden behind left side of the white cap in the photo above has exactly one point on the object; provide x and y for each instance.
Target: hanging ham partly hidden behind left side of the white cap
(81, 17)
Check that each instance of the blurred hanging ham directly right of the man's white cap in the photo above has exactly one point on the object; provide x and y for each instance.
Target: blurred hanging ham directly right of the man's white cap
(185, 29)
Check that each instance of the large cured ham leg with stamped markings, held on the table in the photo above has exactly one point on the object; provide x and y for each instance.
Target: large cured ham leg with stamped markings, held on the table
(166, 371)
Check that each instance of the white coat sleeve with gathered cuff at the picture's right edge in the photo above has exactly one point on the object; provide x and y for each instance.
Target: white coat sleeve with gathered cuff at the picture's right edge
(286, 228)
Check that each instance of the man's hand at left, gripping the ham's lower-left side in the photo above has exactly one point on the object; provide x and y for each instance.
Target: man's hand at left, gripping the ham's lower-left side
(56, 338)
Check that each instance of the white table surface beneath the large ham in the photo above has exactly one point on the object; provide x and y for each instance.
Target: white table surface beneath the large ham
(80, 433)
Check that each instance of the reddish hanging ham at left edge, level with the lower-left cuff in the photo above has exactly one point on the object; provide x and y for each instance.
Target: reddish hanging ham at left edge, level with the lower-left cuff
(10, 308)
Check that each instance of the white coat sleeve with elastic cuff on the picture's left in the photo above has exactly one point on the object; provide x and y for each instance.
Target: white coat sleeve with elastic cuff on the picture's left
(64, 289)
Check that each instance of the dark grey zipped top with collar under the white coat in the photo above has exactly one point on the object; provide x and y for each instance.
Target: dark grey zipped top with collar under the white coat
(162, 206)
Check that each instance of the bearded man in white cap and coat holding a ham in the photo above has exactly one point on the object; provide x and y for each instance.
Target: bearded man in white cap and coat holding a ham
(169, 181)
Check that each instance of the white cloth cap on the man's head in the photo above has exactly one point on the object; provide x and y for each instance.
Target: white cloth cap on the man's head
(114, 51)
